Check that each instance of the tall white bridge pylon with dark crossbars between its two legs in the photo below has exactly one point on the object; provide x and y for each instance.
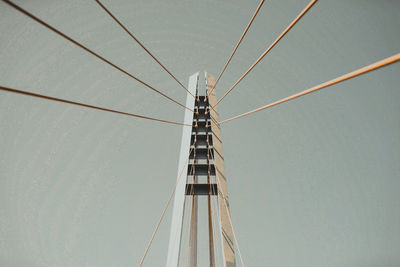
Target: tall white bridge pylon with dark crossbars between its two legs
(202, 164)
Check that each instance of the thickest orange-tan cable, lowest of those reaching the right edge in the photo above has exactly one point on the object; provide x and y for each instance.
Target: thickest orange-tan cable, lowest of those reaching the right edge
(374, 66)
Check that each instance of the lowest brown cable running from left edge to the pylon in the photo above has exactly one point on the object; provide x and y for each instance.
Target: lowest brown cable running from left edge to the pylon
(12, 90)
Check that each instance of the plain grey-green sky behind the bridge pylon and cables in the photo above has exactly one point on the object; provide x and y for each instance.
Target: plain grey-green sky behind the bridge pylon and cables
(313, 182)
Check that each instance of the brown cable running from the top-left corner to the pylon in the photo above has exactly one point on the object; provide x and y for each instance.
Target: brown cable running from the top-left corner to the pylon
(20, 9)
